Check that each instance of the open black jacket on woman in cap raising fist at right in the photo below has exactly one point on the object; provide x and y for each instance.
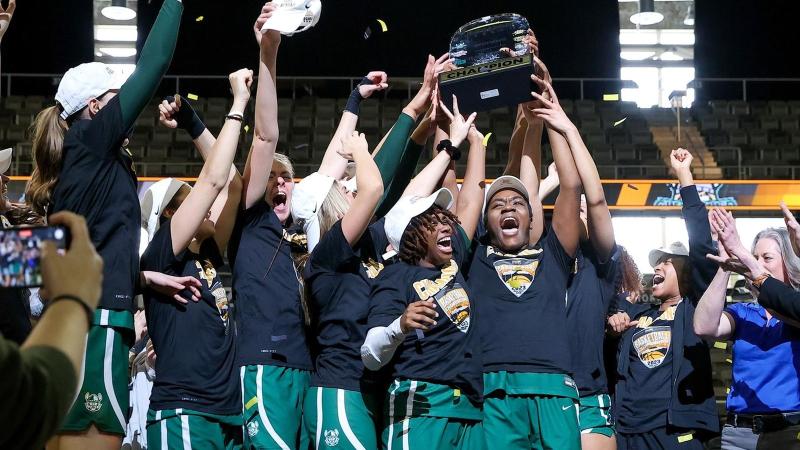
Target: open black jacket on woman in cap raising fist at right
(692, 404)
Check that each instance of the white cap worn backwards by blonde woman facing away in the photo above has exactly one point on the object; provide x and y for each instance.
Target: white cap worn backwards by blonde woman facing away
(307, 198)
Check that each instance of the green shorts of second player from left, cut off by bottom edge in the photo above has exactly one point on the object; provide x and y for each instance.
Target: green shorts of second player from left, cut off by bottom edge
(187, 429)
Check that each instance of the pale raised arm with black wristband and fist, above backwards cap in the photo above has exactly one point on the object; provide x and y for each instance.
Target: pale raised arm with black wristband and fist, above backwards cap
(333, 164)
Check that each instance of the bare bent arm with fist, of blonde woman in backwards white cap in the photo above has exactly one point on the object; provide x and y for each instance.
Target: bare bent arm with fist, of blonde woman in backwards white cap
(369, 184)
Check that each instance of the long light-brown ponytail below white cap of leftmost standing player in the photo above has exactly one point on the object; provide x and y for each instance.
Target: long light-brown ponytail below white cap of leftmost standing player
(48, 132)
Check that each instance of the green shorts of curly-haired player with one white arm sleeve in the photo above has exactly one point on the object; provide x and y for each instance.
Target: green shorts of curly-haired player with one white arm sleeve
(431, 416)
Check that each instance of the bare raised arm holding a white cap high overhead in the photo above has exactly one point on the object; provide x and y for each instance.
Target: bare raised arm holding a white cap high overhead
(265, 135)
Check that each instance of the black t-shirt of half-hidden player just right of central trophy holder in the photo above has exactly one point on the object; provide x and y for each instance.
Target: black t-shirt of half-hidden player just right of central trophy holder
(589, 296)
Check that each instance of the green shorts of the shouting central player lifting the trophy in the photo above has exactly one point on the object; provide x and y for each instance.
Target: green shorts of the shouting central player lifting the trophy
(530, 411)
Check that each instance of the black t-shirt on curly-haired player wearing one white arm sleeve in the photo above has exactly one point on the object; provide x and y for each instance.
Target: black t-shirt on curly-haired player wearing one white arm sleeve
(447, 354)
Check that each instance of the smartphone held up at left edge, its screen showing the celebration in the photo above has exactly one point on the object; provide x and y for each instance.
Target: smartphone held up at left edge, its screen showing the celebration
(21, 254)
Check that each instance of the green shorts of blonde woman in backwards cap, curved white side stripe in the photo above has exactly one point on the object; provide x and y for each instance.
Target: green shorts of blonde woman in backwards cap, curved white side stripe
(341, 419)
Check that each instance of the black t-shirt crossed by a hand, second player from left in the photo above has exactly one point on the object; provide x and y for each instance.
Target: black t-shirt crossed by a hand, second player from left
(194, 343)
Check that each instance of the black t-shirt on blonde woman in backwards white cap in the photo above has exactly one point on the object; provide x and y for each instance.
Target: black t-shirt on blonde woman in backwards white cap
(339, 277)
